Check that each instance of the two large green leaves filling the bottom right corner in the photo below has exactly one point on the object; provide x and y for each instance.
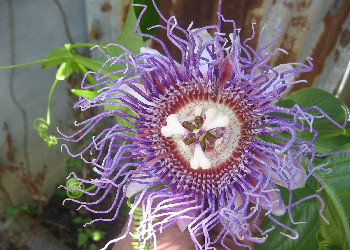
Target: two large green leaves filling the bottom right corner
(336, 195)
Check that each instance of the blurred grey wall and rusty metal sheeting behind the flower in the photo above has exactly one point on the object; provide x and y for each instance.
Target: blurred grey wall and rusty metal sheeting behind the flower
(31, 214)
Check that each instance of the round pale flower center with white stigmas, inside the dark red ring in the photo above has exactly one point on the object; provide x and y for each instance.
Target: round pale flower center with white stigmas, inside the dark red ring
(206, 134)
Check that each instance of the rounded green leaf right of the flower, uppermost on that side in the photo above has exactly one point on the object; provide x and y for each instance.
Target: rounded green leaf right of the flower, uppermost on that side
(328, 103)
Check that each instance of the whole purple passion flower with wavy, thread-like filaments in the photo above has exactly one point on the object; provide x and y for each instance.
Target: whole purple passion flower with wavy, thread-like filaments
(198, 142)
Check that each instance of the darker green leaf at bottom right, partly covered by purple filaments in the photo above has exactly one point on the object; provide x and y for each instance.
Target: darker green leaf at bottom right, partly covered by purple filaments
(304, 212)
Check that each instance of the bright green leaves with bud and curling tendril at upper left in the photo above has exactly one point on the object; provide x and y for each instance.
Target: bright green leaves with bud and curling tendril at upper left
(70, 62)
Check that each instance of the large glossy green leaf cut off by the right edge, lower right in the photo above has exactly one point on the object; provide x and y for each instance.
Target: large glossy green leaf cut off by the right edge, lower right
(336, 196)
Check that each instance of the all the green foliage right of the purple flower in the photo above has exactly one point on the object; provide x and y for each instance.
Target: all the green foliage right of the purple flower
(336, 193)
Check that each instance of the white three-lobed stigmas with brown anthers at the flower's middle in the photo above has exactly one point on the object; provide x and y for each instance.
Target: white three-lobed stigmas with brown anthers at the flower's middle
(198, 133)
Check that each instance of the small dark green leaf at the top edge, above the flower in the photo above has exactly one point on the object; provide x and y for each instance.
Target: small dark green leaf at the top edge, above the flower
(150, 17)
